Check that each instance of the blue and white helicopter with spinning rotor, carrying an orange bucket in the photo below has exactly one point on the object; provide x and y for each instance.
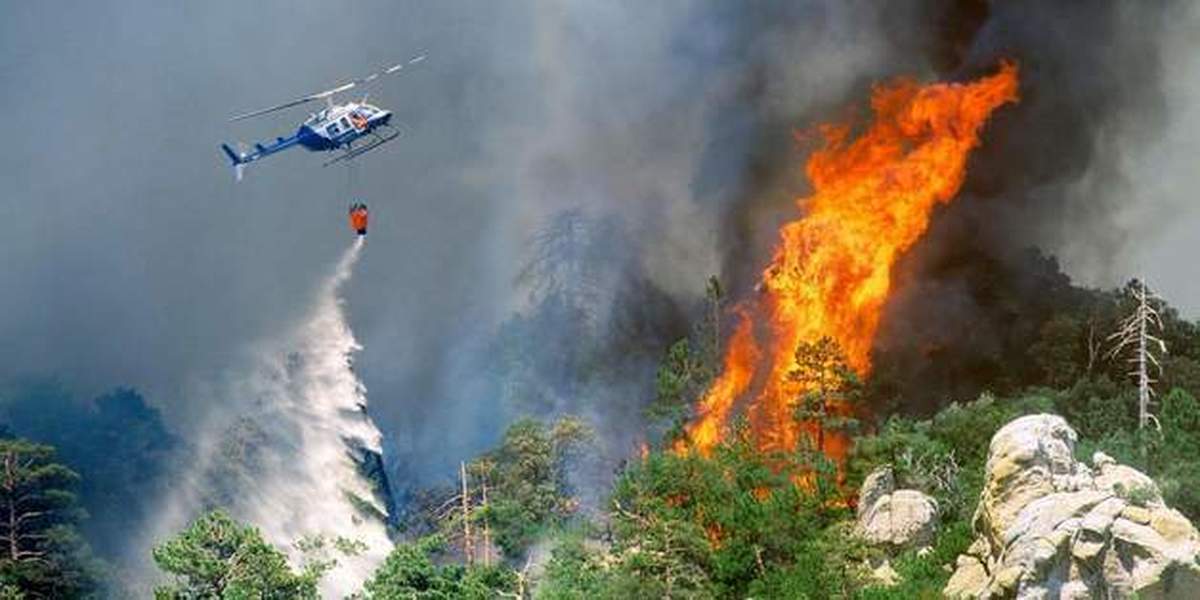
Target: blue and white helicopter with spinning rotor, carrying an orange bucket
(334, 128)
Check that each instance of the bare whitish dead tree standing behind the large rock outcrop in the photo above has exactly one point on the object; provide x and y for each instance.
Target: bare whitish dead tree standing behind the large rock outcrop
(1136, 333)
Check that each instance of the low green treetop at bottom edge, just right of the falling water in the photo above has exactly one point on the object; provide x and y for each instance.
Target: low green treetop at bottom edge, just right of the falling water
(411, 573)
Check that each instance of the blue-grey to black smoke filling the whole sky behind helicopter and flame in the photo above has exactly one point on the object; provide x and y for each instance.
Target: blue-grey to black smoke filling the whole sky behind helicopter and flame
(129, 256)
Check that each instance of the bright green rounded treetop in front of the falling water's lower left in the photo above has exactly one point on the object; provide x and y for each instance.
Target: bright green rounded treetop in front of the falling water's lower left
(220, 559)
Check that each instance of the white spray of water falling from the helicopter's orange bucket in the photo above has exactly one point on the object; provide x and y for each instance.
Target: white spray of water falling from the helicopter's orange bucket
(292, 458)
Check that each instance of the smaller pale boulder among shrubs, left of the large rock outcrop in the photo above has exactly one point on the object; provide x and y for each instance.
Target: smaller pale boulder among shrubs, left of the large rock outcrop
(897, 519)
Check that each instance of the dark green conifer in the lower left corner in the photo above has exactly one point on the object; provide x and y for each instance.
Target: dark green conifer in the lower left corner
(44, 555)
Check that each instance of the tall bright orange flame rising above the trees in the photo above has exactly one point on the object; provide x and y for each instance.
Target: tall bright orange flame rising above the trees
(832, 269)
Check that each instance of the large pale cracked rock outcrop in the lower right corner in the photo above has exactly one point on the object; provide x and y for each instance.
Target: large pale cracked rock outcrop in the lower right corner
(1049, 526)
